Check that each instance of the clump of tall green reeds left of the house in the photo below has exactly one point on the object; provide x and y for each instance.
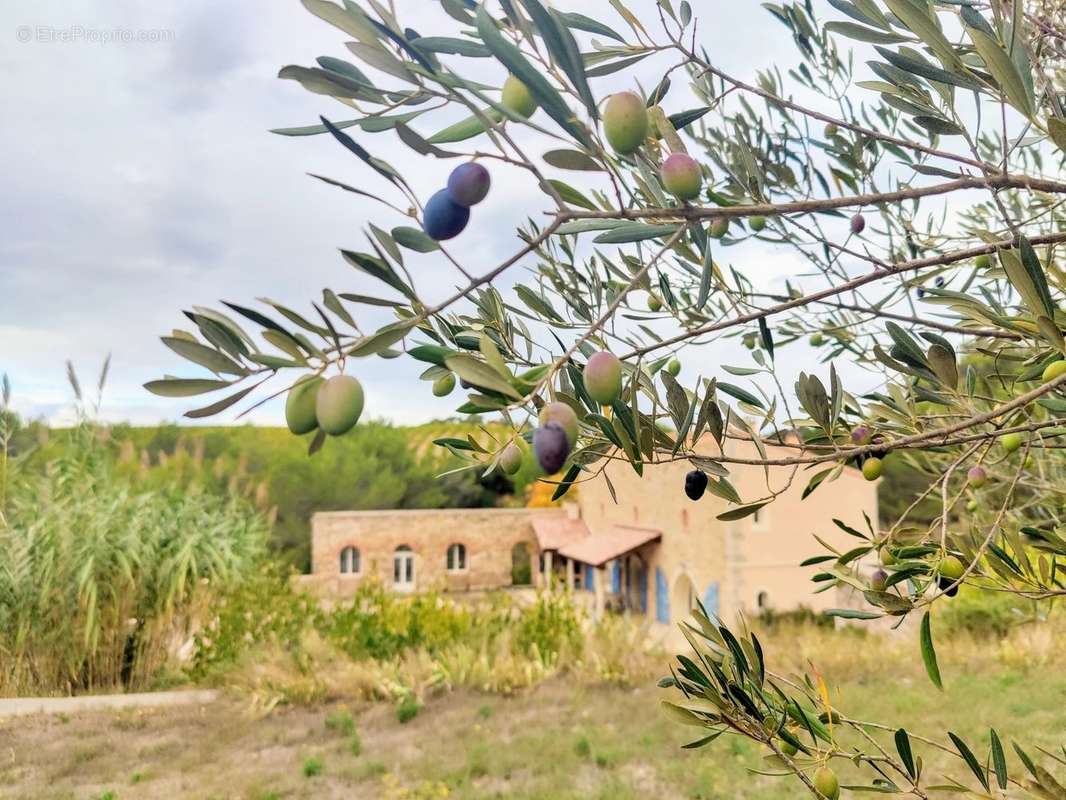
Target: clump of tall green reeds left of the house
(102, 580)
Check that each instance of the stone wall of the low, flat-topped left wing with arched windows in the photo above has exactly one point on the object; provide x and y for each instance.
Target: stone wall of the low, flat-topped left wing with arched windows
(488, 535)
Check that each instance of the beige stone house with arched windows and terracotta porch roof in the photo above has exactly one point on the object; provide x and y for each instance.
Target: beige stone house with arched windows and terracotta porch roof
(653, 553)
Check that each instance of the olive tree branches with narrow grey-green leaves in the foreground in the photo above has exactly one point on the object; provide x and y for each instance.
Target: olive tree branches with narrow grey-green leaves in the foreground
(847, 166)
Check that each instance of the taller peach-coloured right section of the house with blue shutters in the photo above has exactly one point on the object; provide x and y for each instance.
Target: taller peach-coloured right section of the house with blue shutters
(732, 567)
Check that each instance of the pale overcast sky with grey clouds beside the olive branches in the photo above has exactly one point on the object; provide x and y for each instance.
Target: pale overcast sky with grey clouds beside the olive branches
(139, 179)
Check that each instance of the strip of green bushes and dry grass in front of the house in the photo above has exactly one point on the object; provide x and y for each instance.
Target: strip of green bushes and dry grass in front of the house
(280, 646)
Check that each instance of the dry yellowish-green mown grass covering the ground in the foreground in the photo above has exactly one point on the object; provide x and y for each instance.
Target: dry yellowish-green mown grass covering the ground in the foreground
(569, 738)
